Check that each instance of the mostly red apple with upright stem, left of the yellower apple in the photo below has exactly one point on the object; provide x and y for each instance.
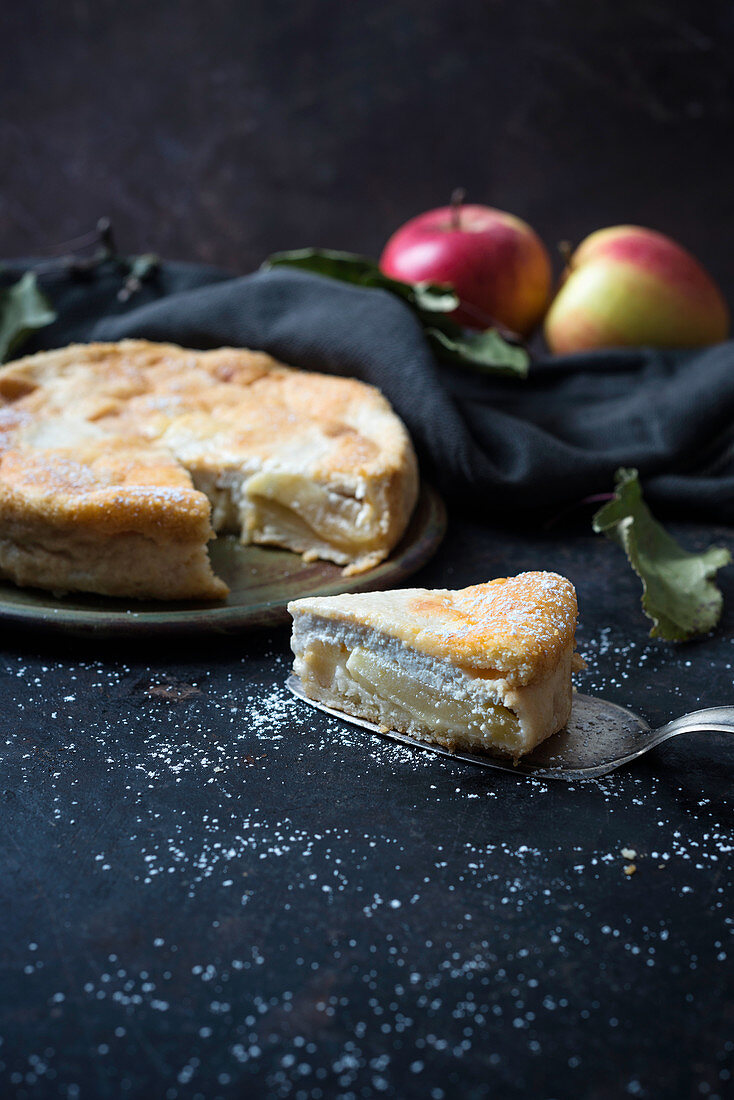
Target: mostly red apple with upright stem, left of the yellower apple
(497, 265)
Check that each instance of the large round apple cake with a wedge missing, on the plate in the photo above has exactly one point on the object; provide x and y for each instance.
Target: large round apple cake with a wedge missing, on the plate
(119, 463)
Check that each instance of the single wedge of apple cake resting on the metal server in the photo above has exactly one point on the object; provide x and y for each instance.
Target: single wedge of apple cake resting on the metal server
(486, 669)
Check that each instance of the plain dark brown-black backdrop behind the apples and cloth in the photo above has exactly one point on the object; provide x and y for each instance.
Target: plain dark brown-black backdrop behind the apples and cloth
(221, 131)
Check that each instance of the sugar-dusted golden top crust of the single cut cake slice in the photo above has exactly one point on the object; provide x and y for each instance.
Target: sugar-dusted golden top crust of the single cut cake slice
(516, 629)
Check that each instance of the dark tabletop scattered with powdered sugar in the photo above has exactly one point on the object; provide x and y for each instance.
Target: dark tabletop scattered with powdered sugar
(215, 892)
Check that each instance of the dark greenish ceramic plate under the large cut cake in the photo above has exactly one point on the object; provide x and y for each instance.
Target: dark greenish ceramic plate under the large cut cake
(261, 580)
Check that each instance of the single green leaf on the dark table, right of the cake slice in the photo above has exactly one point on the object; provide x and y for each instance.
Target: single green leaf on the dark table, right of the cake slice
(678, 590)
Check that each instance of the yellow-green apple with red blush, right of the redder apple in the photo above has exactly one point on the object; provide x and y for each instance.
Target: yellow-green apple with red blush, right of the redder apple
(632, 287)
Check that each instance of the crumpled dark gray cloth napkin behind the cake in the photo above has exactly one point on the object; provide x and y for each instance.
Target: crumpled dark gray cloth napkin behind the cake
(518, 448)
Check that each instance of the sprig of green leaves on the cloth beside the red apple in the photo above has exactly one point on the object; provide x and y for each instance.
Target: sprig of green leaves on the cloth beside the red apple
(487, 353)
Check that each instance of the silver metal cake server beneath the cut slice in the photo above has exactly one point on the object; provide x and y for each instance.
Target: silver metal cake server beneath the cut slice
(598, 739)
